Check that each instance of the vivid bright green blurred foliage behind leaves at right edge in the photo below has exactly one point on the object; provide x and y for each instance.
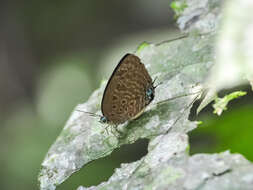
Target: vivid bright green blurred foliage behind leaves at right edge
(231, 131)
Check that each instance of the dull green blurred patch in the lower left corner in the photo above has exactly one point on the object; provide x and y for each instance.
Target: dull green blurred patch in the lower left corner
(24, 140)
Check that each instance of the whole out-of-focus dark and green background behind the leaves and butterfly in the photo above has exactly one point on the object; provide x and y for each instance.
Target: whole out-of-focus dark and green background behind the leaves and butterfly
(53, 54)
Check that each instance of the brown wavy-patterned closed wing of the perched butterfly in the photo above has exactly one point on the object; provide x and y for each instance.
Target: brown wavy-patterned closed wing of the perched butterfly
(124, 95)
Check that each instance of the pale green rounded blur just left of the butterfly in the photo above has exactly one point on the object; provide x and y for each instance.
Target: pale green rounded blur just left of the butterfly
(69, 79)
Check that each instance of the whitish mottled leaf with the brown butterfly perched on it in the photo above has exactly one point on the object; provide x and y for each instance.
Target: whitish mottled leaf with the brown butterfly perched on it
(179, 65)
